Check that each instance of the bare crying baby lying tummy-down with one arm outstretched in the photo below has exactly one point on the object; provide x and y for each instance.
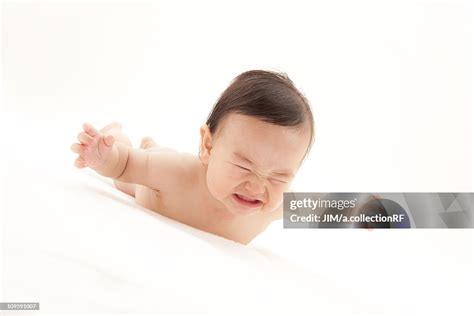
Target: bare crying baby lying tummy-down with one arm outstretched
(253, 143)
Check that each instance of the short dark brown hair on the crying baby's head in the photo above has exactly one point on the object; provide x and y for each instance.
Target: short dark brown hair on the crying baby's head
(266, 95)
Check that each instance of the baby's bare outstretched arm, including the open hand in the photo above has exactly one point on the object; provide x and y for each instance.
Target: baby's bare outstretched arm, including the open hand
(155, 170)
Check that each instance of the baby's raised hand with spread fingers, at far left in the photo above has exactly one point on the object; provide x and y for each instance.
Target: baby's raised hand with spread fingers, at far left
(94, 148)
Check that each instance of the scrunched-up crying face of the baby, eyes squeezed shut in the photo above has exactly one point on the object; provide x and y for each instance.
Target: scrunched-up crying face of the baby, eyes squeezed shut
(250, 163)
